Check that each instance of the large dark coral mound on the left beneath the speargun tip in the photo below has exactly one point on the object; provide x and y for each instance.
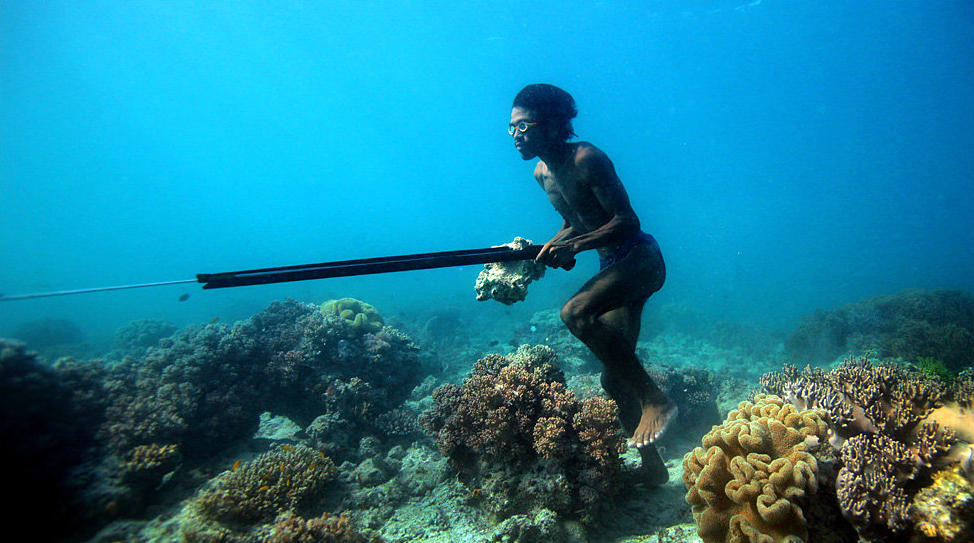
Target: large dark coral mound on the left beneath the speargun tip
(120, 430)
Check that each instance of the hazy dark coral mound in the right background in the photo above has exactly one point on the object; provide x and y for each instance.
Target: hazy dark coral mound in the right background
(911, 324)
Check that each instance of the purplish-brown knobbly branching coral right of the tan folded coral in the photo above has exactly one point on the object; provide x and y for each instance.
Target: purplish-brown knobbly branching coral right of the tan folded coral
(893, 426)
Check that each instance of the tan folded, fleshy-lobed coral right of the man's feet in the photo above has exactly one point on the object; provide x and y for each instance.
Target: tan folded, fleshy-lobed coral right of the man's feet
(750, 477)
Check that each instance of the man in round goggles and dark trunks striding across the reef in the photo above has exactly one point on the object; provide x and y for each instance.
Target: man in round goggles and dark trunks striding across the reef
(606, 312)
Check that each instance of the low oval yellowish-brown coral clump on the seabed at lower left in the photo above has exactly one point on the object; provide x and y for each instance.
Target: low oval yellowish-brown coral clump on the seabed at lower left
(288, 479)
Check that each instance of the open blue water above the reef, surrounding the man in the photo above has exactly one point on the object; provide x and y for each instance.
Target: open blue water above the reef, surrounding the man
(787, 155)
